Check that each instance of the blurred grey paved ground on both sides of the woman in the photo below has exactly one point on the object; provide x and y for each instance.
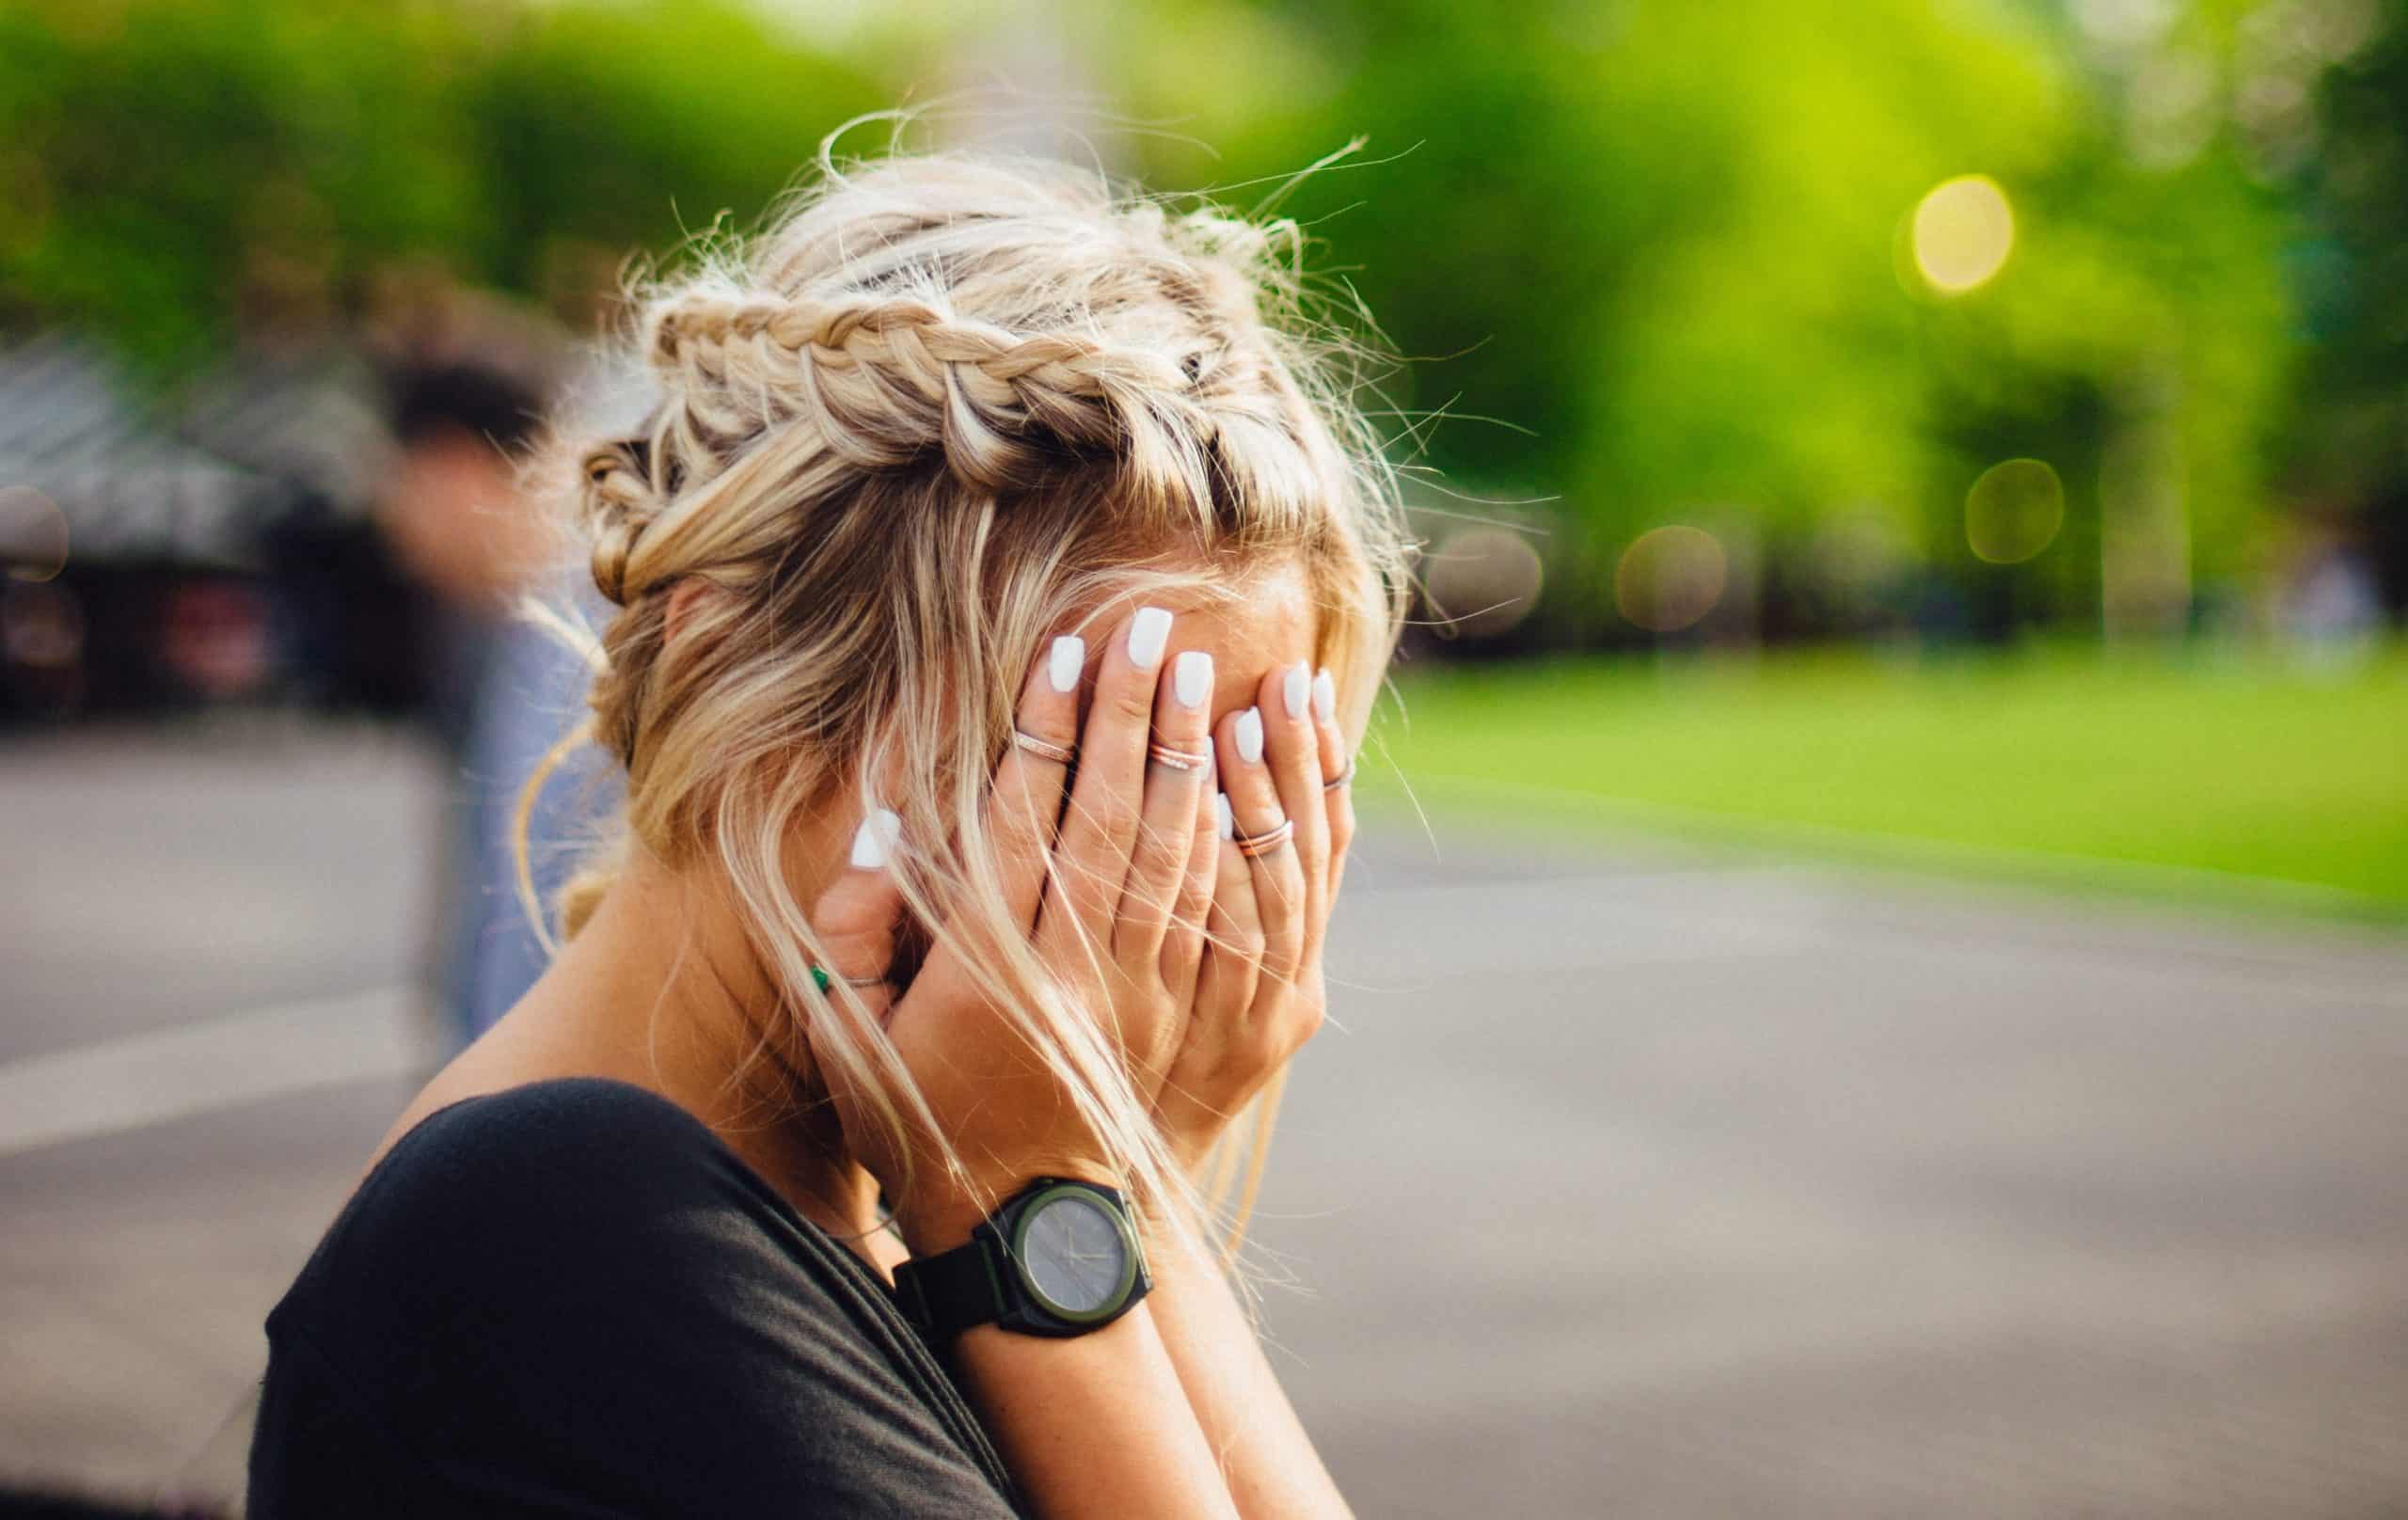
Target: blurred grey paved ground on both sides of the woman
(1627, 1182)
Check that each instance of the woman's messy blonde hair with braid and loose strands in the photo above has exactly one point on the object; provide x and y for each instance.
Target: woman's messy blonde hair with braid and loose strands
(940, 408)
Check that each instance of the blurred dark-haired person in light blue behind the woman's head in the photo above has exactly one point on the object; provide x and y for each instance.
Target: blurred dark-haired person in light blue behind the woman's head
(497, 688)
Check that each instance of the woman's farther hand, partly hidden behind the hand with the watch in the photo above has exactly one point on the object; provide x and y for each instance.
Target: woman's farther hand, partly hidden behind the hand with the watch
(1261, 991)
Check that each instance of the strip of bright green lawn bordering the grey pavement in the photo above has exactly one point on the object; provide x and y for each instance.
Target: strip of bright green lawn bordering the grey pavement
(2236, 770)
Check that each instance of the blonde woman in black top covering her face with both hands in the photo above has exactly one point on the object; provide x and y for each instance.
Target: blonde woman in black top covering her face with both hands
(1005, 582)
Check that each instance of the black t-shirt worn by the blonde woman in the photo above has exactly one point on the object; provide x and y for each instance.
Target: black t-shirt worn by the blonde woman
(574, 1300)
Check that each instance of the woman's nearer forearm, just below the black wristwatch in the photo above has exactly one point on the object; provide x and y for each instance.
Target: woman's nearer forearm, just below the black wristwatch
(1094, 1425)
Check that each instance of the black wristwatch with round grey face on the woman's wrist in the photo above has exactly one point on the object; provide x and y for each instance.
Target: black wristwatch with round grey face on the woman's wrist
(1056, 1259)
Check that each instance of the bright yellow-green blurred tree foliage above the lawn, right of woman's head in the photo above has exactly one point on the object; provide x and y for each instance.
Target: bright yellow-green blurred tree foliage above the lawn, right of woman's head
(1670, 245)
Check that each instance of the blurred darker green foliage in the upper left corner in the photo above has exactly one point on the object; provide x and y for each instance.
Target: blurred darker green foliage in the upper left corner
(175, 163)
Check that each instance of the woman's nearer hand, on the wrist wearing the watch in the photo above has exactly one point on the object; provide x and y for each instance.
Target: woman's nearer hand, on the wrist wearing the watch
(1114, 905)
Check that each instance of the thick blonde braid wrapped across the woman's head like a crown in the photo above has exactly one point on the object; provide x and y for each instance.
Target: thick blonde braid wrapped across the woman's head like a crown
(885, 379)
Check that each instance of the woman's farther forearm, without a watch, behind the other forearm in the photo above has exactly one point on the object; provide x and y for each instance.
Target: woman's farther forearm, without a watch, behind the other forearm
(1239, 1406)
